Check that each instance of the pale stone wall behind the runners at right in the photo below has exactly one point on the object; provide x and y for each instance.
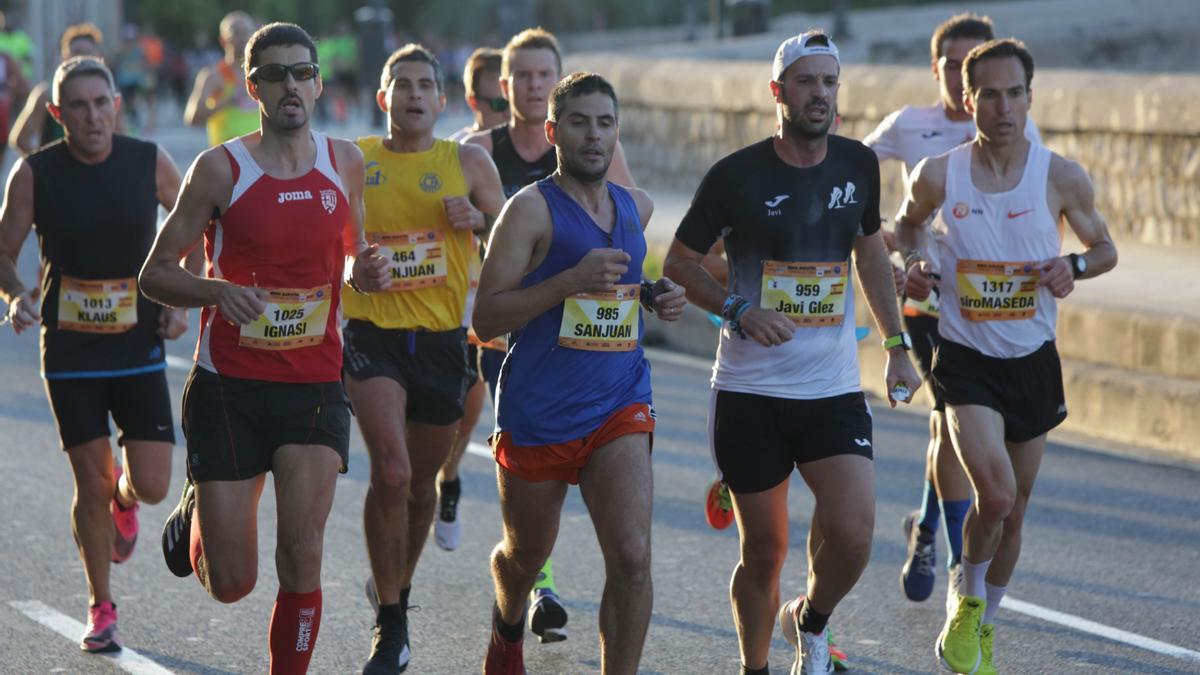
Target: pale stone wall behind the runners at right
(1138, 135)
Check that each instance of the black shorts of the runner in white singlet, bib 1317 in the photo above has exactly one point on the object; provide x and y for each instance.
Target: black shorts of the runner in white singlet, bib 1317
(1027, 391)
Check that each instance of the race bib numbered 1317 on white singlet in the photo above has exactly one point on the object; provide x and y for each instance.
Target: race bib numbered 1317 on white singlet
(993, 291)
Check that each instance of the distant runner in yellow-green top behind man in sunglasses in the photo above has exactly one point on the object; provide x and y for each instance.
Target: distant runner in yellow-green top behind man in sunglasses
(219, 99)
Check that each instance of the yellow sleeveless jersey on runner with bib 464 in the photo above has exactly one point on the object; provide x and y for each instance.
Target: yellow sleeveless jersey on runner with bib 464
(406, 216)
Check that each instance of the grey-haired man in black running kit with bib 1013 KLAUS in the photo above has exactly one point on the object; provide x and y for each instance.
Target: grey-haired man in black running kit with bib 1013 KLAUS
(94, 200)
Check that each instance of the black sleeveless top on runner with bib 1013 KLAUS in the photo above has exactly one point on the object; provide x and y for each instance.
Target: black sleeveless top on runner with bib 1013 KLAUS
(97, 223)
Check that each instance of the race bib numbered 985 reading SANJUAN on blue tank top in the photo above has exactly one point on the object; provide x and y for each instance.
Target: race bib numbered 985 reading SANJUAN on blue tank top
(602, 322)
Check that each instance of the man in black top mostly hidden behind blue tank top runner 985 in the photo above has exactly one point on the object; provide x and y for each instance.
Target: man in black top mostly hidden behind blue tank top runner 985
(531, 68)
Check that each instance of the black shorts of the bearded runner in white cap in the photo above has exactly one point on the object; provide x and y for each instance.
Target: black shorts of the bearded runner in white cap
(759, 440)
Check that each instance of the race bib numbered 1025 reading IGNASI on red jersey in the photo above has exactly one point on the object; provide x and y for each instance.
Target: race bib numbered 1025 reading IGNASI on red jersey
(293, 319)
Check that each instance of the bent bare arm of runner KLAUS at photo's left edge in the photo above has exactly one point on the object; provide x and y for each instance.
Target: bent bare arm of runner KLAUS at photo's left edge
(16, 222)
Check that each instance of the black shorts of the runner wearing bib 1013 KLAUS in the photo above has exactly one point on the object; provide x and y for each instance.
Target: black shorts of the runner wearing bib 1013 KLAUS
(140, 405)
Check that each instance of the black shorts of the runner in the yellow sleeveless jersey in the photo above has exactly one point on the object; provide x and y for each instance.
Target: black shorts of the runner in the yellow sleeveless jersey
(431, 367)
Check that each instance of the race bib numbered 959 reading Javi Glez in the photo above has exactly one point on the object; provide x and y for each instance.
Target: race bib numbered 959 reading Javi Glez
(812, 295)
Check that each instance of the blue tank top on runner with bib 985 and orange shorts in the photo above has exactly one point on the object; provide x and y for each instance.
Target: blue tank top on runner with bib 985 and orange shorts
(573, 367)
